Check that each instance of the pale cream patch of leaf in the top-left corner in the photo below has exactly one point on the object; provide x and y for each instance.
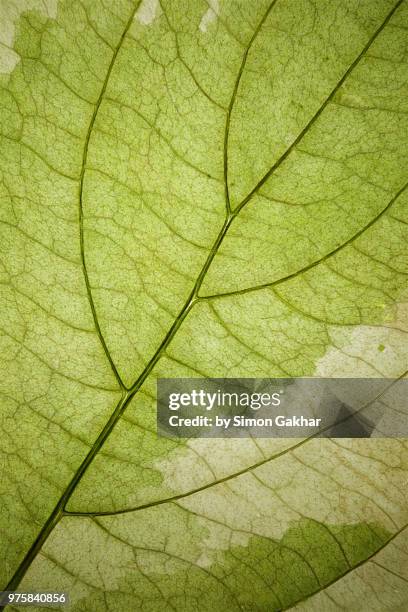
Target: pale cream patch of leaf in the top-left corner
(10, 11)
